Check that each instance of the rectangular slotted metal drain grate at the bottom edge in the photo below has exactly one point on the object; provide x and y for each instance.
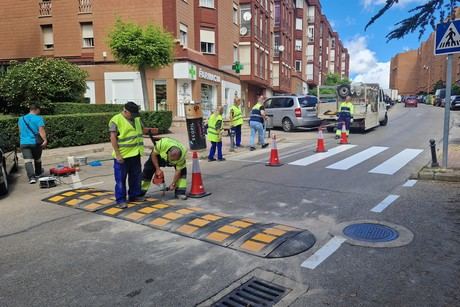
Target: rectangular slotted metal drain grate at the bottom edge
(253, 293)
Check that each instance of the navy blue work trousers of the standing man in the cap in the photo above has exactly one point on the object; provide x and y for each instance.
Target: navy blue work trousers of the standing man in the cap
(131, 168)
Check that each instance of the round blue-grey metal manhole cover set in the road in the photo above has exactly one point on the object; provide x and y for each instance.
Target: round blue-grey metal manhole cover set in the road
(370, 232)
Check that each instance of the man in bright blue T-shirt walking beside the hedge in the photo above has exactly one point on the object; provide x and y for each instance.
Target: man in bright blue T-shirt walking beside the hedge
(32, 141)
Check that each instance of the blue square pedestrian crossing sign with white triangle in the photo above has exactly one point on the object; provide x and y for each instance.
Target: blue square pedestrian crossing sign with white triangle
(447, 39)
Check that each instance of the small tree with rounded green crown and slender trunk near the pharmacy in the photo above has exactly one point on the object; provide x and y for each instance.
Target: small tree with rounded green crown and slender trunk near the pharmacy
(141, 48)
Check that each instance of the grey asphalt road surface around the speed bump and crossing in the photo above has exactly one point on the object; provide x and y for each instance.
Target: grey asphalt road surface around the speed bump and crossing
(57, 256)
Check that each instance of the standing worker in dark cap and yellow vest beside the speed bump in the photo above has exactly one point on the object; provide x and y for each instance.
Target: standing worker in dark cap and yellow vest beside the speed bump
(126, 136)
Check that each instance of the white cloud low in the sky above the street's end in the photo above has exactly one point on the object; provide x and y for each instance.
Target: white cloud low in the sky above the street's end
(364, 66)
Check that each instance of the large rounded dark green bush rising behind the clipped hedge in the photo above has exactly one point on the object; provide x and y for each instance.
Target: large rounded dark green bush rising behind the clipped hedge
(41, 80)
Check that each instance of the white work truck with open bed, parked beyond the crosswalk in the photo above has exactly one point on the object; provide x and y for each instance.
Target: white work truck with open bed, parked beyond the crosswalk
(368, 99)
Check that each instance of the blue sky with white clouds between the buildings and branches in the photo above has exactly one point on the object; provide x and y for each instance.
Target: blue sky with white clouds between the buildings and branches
(370, 53)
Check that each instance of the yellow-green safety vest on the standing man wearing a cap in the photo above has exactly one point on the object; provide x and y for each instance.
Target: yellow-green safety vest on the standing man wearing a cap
(130, 140)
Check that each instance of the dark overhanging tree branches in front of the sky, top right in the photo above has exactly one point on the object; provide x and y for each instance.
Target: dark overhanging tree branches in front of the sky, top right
(422, 16)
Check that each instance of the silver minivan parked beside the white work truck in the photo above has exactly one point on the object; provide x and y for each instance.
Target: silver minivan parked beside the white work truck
(291, 112)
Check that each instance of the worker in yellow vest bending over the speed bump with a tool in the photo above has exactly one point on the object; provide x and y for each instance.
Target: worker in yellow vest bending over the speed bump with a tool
(167, 152)
